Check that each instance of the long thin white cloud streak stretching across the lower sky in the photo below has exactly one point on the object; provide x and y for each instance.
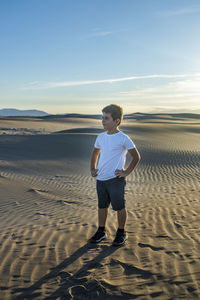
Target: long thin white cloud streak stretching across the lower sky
(49, 85)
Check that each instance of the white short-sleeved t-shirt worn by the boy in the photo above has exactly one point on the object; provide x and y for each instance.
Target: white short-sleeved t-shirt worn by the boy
(113, 153)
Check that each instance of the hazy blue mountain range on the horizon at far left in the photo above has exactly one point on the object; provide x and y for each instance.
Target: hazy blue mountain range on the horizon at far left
(11, 112)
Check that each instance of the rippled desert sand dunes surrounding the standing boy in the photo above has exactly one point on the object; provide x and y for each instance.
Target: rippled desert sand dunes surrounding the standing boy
(48, 211)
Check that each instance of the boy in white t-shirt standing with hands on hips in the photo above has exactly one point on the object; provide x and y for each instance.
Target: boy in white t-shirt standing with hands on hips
(112, 145)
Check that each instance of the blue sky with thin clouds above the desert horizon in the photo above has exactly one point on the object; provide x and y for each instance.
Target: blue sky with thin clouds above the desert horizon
(64, 56)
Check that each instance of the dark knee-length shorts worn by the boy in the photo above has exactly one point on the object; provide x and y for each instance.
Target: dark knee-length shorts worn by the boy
(111, 191)
